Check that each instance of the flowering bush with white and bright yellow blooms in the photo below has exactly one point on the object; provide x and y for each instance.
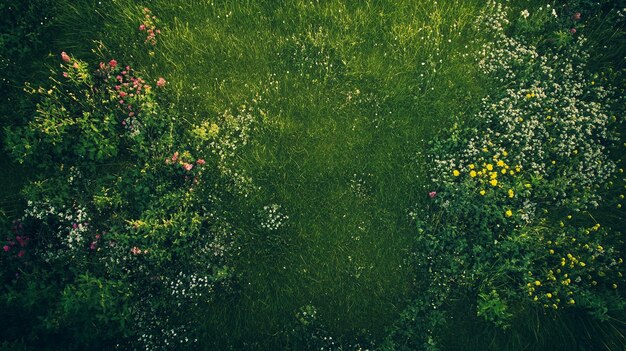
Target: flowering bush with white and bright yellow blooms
(508, 219)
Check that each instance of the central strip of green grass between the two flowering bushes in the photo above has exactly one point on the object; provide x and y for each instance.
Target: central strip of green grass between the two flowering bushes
(351, 93)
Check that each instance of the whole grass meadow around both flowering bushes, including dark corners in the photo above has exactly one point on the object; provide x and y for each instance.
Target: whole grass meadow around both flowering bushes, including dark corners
(340, 101)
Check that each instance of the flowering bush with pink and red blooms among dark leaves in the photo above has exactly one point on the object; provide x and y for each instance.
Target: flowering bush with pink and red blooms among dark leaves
(122, 212)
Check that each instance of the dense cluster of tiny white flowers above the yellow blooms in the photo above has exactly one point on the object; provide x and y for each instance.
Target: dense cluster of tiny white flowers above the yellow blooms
(553, 118)
